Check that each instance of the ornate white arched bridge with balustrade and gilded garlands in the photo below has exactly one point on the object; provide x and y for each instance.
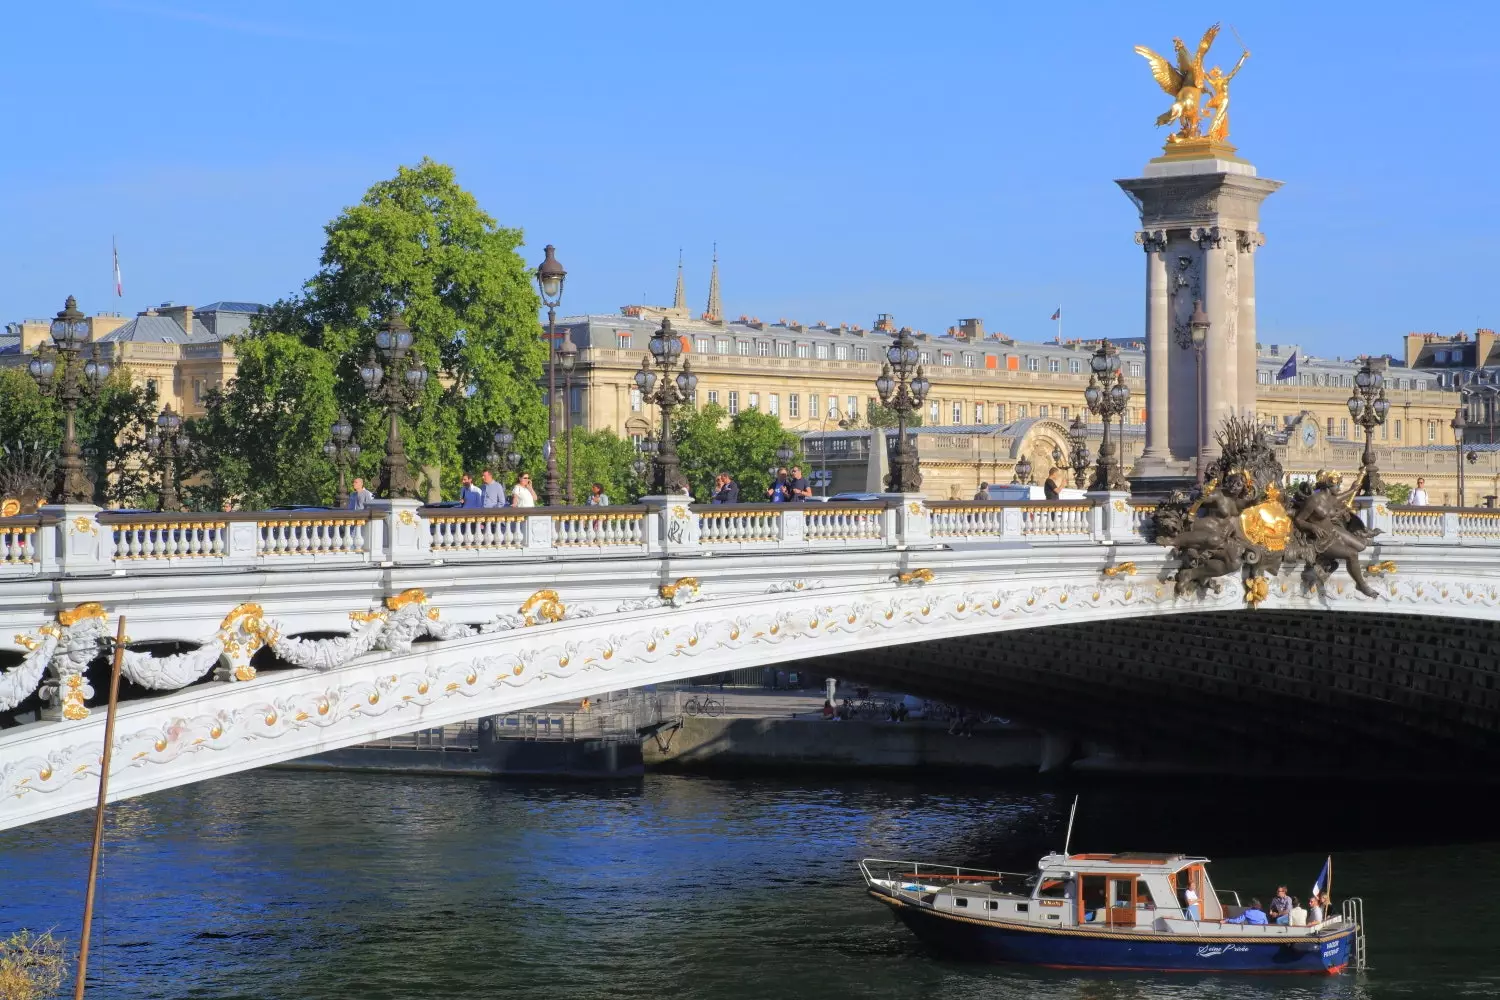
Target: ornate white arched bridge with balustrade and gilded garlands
(257, 638)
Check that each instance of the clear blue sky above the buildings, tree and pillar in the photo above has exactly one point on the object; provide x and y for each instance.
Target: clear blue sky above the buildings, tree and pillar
(848, 158)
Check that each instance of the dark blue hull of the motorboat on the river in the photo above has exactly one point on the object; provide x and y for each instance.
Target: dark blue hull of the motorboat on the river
(980, 941)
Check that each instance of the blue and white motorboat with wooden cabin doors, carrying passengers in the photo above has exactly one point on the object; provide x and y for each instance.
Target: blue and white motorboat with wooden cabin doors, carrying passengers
(1106, 912)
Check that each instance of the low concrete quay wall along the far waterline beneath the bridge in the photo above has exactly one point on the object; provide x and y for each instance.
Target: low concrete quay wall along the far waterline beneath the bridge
(805, 743)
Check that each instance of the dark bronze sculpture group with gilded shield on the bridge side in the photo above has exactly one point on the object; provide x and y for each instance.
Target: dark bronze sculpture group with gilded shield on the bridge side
(1241, 522)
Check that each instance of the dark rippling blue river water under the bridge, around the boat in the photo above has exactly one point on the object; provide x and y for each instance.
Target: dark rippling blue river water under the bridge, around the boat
(371, 887)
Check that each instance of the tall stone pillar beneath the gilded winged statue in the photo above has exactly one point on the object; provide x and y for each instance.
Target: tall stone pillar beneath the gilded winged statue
(1207, 208)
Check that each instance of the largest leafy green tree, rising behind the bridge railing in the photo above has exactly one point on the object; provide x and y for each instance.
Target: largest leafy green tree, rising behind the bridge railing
(418, 242)
